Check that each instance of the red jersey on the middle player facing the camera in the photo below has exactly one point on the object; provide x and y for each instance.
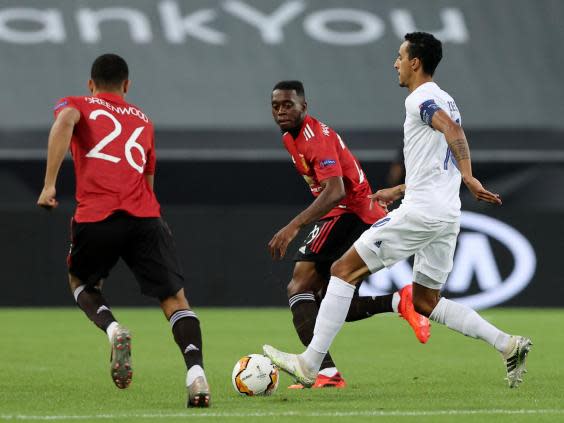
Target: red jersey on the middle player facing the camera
(319, 153)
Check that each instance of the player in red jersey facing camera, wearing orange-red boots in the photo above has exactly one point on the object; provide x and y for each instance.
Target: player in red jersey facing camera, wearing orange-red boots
(340, 213)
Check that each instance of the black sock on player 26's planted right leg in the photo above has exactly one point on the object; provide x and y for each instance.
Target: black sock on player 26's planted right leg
(186, 330)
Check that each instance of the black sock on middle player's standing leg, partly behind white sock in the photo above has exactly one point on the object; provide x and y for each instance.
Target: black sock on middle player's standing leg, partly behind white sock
(304, 309)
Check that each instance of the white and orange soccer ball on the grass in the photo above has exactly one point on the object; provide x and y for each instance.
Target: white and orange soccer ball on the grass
(254, 374)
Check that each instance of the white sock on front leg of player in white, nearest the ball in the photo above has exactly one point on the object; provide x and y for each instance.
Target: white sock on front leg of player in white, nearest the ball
(331, 316)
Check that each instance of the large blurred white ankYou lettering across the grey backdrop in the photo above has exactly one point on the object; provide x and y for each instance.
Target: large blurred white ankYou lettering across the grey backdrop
(335, 26)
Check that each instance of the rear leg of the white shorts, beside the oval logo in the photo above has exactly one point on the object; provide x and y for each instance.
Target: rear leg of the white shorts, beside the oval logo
(434, 262)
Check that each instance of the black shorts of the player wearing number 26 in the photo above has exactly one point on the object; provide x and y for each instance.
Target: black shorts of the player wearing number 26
(145, 244)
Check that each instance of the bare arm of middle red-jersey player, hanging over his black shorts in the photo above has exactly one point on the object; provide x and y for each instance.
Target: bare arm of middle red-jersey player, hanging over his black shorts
(333, 192)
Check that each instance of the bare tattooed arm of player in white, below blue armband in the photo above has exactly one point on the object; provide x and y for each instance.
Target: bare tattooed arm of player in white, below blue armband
(456, 139)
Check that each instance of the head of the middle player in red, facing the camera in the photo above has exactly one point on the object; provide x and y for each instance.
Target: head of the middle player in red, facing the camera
(288, 104)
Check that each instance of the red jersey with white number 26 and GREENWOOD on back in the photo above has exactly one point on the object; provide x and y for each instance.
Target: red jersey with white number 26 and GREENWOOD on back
(112, 148)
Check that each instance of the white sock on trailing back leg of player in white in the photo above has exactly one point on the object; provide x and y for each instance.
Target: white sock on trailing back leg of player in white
(466, 321)
